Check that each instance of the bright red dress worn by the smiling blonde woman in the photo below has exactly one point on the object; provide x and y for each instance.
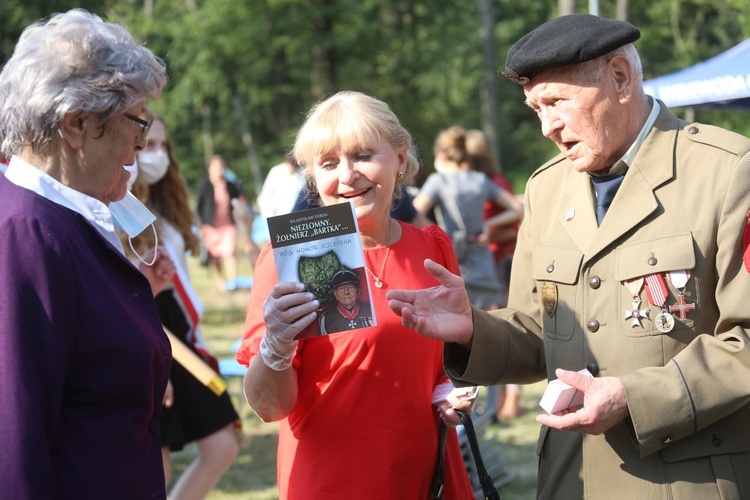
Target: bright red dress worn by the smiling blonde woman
(363, 426)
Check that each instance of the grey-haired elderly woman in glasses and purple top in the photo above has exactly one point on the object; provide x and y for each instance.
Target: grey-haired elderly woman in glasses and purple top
(85, 360)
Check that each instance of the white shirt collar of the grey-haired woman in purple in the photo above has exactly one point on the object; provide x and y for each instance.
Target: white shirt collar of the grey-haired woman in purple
(27, 176)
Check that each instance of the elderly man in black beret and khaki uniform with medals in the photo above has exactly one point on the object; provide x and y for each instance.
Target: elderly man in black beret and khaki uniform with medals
(651, 298)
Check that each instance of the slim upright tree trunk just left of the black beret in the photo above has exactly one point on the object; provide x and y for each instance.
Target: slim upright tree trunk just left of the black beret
(490, 103)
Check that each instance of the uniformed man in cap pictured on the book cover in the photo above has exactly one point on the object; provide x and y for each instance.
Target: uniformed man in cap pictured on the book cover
(349, 312)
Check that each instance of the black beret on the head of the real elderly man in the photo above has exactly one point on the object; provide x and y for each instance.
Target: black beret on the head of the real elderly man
(564, 41)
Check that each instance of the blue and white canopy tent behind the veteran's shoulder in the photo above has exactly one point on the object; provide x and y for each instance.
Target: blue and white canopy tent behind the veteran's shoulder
(723, 80)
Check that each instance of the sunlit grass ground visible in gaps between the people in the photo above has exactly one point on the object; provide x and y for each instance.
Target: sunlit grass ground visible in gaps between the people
(253, 475)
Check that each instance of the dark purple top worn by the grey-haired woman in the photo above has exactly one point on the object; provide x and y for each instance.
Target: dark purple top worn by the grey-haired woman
(84, 361)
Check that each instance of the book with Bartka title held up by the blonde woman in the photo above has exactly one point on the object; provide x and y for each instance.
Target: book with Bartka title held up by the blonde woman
(320, 247)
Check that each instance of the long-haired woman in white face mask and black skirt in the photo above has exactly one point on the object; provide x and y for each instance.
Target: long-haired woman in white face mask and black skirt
(192, 412)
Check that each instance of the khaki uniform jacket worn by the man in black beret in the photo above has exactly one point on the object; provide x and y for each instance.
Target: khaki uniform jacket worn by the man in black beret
(683, 204)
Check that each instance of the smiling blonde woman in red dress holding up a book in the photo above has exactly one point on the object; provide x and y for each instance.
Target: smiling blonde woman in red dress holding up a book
(356, 412)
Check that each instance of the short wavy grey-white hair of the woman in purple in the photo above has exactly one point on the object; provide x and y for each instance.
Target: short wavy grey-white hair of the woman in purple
(71, 62)
